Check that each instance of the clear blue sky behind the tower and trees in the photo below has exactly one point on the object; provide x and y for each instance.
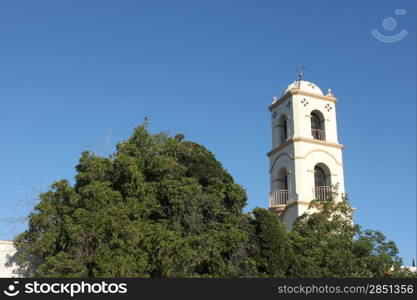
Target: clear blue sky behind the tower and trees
(78, 75)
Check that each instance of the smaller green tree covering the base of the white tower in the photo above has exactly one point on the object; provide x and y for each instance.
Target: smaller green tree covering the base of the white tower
(328, 244)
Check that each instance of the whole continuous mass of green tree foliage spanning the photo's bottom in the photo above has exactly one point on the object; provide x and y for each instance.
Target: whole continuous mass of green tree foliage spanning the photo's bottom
(162, 206)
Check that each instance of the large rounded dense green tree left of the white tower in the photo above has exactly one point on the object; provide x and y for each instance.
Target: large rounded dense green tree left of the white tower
(158, 207)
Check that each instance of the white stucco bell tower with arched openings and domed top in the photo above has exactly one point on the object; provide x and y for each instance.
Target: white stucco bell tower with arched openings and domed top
(306, 157)
